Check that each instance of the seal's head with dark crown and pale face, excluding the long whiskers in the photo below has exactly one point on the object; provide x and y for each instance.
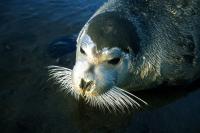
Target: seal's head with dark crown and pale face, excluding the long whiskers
(105, 49)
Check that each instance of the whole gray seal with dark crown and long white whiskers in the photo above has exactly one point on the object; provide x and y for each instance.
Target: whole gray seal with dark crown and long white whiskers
(133, 45)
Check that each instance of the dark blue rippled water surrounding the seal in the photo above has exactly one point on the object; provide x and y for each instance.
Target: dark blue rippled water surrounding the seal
(29, 104)
